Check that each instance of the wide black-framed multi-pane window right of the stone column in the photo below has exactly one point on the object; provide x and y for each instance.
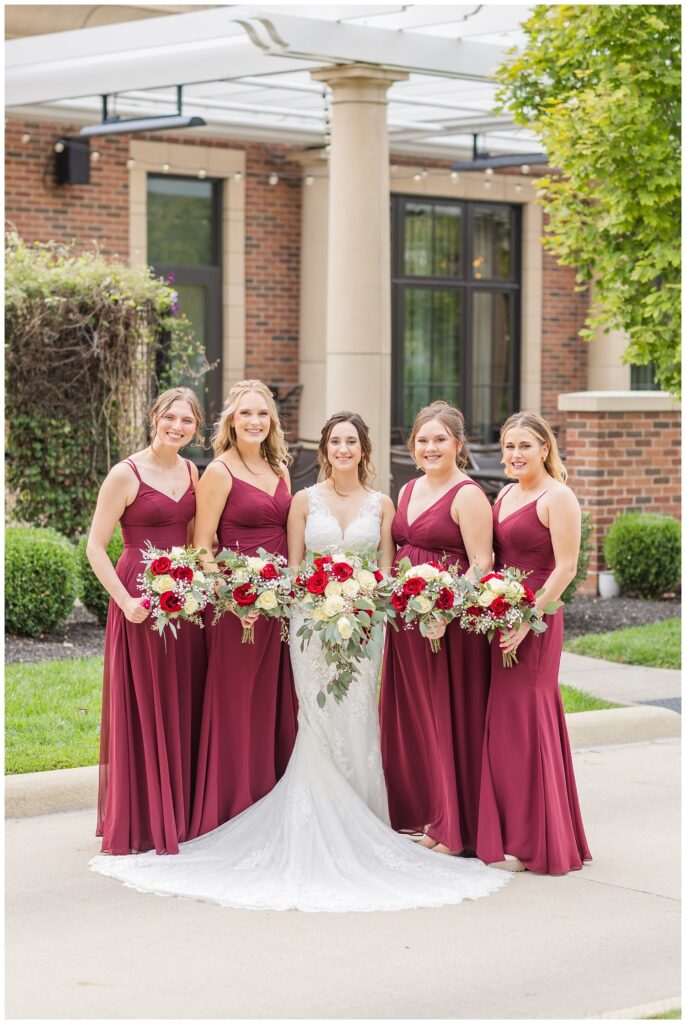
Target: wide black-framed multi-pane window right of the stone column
(456, 311)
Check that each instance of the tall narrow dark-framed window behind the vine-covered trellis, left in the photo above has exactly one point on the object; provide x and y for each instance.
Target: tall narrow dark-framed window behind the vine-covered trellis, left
(184, 243)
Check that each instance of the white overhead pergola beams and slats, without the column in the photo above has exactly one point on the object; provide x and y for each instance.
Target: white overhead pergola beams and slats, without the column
(246, 70)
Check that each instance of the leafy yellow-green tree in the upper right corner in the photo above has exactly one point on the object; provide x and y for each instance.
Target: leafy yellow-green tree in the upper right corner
(601, 86)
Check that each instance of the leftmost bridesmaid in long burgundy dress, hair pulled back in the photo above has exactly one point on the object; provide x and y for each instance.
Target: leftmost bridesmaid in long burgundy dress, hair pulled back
(152, 693)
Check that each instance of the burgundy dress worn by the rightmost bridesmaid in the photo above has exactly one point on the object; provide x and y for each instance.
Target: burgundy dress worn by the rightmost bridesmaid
(529, 805)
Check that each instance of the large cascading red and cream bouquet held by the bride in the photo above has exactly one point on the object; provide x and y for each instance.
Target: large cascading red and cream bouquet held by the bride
(345, 599)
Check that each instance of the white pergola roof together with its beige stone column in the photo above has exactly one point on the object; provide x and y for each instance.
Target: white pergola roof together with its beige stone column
(352, 83)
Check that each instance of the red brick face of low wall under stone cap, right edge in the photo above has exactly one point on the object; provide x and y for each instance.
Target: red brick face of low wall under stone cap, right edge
(623, 462)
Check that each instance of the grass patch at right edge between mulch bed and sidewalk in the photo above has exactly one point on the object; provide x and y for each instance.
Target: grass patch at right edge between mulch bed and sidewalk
(657, 646)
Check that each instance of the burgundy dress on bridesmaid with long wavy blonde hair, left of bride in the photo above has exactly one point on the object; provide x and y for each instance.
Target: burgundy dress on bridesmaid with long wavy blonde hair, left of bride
(250, 711)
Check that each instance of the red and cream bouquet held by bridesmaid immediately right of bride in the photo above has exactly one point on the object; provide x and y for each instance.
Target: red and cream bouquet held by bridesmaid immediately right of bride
(428, 594)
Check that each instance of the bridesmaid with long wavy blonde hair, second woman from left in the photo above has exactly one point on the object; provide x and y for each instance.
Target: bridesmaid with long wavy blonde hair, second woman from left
(250, 711)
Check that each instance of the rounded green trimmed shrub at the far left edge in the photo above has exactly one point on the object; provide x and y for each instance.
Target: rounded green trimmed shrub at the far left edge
(40, 580)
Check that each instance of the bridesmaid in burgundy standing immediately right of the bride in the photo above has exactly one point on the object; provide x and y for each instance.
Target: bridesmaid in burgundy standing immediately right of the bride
(434, 706)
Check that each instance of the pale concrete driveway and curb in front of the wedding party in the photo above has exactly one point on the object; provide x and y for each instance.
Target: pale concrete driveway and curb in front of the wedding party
(601, 943)
